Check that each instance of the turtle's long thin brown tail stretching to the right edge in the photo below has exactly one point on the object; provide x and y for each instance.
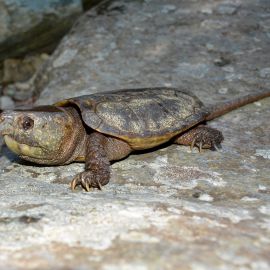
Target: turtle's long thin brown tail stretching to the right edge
(227, 106)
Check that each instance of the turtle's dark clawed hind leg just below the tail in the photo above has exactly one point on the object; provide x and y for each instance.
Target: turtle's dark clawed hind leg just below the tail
(202, 137)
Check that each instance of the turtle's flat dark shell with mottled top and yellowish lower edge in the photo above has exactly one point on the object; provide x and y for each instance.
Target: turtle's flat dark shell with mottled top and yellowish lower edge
(142, 117)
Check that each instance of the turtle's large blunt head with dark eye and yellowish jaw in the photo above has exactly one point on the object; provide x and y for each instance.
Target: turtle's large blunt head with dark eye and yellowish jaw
(39, 134)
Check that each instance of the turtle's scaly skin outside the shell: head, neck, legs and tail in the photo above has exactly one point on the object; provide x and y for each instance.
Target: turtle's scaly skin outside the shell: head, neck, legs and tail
(55, 136)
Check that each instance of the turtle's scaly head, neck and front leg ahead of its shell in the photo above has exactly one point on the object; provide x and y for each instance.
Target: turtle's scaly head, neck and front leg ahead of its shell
(69, 142)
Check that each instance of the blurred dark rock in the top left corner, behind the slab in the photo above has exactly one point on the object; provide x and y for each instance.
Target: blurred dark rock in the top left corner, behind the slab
(26, 26)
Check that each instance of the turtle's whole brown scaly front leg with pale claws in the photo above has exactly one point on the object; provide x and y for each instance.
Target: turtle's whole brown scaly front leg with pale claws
(97, 164)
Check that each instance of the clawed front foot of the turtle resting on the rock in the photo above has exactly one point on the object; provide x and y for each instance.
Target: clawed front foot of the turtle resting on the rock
(88, 180)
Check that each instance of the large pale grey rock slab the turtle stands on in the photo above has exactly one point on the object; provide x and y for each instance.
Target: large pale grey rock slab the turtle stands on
(168, 209)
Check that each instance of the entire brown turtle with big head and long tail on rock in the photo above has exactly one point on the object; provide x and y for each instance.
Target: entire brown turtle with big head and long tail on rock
(107, 126)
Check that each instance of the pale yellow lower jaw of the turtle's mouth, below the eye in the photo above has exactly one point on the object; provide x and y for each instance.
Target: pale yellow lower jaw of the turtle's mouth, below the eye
(22, 149)
